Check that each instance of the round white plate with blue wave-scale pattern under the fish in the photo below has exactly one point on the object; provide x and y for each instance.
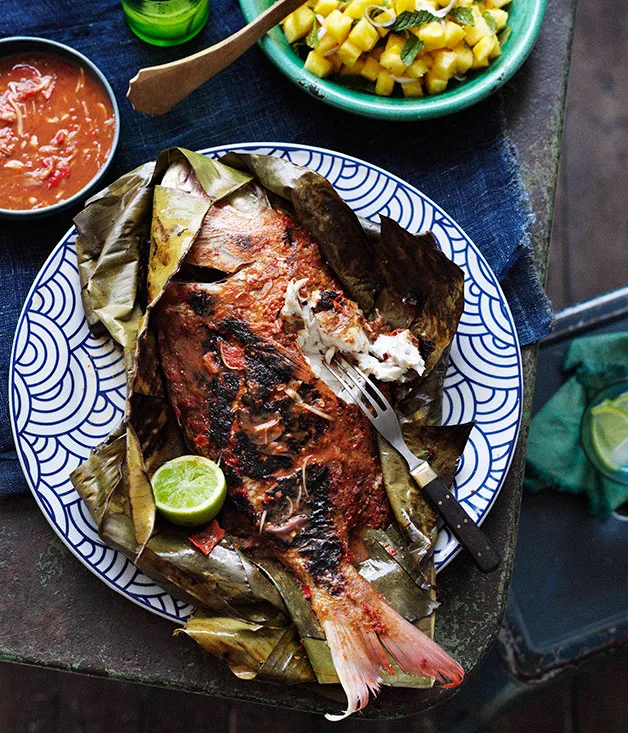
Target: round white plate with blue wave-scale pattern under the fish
(67, 389)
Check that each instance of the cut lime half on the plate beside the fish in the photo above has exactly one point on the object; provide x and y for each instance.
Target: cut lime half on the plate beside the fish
(189, 490)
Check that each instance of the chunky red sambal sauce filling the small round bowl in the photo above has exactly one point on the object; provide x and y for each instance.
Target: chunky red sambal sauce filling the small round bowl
(56, 130)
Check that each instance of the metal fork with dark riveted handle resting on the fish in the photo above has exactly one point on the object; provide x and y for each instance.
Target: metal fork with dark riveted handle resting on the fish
(384, 419)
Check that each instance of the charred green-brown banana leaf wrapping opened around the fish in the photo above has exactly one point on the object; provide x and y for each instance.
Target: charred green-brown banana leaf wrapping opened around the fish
(251, 612)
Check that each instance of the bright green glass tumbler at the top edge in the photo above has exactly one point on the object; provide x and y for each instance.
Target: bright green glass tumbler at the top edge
(166, 22)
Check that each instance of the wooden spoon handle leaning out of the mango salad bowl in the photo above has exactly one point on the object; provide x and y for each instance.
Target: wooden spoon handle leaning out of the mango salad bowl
(157, 89)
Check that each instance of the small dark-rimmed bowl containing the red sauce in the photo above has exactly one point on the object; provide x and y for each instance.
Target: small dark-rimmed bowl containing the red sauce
(19, 44)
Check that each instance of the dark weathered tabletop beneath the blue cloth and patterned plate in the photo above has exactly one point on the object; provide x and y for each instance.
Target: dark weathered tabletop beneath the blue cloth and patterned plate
(55, 613)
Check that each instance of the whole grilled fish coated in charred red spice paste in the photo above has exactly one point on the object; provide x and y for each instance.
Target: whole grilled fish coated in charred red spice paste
(302, 465)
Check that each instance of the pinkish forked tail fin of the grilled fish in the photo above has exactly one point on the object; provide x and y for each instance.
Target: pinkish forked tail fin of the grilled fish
(360, 628)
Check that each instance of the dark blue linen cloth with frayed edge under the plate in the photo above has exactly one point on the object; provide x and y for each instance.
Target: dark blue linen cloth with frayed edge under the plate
(464, 162)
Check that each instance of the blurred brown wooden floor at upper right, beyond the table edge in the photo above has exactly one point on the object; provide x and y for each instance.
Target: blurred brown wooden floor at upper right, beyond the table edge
(589, 252)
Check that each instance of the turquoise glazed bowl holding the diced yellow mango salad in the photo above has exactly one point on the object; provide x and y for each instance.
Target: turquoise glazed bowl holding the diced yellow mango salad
(525, 18)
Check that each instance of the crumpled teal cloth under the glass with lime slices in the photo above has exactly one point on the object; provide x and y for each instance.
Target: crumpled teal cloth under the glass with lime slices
(555, 457)
